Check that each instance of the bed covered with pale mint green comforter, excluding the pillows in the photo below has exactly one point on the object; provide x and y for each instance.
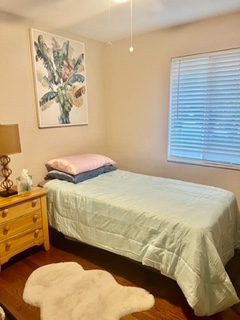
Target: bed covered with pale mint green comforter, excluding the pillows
(186, 231)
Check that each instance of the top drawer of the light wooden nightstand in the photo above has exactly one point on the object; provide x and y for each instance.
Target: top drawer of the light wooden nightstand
(18, 210)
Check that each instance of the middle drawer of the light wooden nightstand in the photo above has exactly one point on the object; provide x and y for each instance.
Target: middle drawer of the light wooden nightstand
(14, 227)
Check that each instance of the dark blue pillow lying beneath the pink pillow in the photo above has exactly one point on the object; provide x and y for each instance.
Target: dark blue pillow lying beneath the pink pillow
(55, 174)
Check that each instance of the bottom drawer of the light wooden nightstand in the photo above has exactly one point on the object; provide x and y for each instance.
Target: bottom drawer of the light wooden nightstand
(15, 245)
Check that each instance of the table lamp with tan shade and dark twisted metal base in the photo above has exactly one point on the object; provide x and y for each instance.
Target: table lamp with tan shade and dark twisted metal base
(9, 144)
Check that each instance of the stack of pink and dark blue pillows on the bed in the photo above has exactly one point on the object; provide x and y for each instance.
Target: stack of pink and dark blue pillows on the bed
(78, 168)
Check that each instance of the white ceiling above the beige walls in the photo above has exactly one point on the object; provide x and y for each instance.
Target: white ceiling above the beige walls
(105, 20)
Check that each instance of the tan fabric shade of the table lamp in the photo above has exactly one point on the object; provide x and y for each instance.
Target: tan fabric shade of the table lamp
(9, 139)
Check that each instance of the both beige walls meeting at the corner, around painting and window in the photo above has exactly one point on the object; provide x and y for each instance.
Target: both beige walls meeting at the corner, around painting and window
(135, 123)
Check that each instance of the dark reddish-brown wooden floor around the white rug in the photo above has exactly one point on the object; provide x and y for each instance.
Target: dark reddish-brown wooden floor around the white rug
(170, 304)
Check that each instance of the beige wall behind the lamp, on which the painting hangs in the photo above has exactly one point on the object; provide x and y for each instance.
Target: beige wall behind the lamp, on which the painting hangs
(17, 101)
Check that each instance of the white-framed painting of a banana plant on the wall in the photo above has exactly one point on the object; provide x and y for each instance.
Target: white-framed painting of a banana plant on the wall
(60, 80)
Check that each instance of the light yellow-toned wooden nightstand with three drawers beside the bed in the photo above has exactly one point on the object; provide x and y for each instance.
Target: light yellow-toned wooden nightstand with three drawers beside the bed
(23, 223)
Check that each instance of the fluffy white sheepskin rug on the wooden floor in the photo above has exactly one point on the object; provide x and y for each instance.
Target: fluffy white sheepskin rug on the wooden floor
(66, 291)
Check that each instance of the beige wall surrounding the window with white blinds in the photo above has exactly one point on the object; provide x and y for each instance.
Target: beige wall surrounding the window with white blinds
(138, 98)
